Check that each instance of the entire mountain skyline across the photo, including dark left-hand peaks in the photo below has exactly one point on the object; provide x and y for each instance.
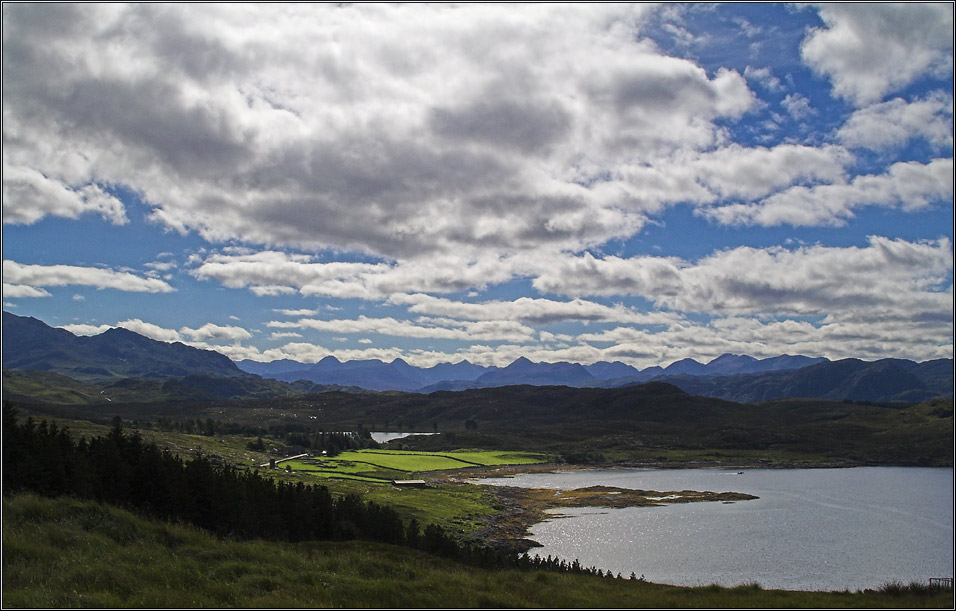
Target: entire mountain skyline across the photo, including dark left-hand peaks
(31, 345)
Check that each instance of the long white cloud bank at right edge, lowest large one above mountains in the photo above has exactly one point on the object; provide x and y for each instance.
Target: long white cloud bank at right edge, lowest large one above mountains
(896, 277)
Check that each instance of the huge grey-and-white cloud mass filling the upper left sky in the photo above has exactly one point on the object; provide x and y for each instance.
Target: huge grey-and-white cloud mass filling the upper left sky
(453, 129)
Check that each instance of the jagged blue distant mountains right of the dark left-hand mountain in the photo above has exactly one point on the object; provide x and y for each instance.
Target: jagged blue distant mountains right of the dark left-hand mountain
(732, 377)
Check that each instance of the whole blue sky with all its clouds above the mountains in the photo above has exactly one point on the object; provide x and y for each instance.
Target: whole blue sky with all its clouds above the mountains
(435, 182)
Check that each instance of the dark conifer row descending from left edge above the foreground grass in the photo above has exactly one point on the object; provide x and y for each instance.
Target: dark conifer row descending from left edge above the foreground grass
(122, 469)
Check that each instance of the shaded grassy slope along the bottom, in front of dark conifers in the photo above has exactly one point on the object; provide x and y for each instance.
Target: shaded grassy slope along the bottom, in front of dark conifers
(64, 553)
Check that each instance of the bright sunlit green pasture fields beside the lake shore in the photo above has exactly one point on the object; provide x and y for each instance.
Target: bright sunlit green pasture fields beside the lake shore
(387, 465)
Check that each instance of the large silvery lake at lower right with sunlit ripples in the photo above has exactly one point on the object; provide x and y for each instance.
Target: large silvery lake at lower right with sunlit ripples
(811, 529)
